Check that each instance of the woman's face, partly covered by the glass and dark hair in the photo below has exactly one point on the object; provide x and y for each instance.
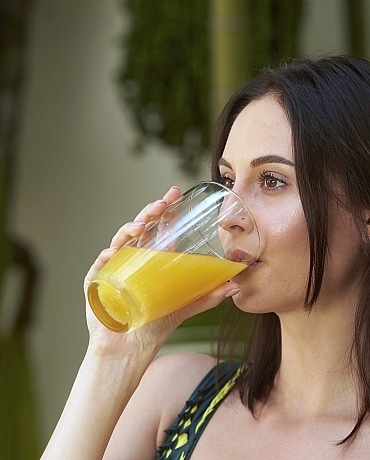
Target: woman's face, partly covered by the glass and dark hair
(257, 163)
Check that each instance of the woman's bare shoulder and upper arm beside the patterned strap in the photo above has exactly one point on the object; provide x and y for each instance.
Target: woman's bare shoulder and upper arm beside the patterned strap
(160, 396)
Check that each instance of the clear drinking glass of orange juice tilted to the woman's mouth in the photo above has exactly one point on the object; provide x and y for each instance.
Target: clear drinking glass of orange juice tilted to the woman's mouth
(176, 260)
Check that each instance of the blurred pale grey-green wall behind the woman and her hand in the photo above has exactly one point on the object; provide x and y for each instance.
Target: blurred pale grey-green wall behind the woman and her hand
(77, 179)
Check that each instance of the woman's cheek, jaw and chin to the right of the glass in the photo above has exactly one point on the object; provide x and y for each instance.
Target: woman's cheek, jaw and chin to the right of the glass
(281, 281)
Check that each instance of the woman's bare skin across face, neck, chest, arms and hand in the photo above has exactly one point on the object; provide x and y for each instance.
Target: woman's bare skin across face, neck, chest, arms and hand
(313, 402)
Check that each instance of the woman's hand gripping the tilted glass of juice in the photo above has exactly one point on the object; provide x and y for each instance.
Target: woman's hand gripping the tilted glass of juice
(153, 335)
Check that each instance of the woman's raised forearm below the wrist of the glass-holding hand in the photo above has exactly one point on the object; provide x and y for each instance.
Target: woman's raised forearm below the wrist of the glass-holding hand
(100, 393)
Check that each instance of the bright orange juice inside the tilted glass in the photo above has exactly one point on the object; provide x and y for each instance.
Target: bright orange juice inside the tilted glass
(139, 285)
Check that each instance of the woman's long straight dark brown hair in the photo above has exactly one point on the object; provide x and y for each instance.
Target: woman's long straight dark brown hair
(327, 103)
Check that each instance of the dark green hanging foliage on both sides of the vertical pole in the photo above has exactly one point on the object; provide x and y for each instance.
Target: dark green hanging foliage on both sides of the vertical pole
(166, 76)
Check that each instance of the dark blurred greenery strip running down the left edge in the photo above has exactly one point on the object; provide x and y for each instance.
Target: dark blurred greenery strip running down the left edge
(17, 412)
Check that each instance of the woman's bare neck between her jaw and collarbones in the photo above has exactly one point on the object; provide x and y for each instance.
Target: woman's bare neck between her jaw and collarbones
(316, 373)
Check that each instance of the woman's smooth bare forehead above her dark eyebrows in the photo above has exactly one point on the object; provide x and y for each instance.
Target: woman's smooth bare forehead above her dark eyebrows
(261, 128)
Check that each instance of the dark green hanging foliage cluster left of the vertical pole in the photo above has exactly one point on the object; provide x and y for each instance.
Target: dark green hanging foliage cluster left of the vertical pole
(166, 77)
